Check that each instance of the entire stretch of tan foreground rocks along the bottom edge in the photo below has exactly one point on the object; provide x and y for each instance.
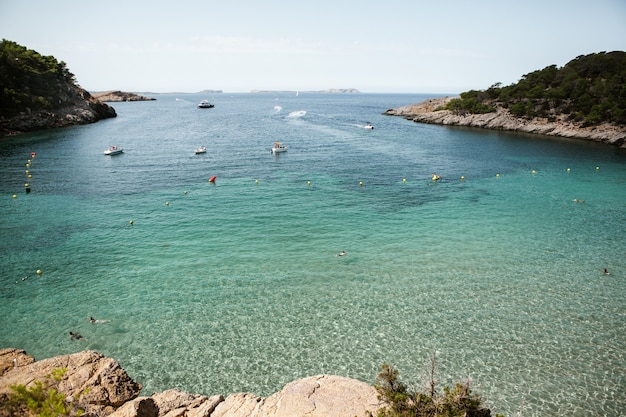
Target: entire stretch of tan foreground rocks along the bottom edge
(103, 388)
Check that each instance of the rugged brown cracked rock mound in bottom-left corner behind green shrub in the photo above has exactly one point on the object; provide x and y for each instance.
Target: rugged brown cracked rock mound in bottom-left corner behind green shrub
(100, 383)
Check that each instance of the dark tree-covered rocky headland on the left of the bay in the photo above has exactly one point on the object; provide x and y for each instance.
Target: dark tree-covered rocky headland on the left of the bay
(39, 92)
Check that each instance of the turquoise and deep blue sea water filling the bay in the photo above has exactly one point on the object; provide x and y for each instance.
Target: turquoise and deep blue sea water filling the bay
(495, 271)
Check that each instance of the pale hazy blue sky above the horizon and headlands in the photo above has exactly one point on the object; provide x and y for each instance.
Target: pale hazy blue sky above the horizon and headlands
(410, 46)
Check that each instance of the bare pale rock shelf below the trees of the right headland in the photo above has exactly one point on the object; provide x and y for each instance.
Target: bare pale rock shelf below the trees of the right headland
(502, 119)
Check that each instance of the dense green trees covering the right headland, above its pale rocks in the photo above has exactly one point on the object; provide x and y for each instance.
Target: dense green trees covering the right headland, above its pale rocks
(590, 89)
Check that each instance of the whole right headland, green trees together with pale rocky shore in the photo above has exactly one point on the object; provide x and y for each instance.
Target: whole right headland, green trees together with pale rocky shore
(586, 99)
